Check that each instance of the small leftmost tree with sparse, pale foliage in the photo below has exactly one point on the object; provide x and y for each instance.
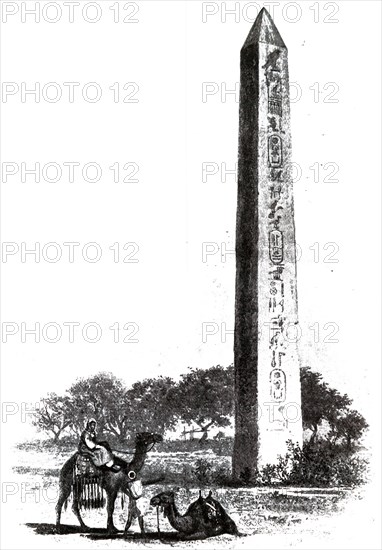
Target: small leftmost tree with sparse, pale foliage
(54, 415)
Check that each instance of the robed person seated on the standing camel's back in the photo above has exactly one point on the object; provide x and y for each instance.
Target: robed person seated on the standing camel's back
(99, 451)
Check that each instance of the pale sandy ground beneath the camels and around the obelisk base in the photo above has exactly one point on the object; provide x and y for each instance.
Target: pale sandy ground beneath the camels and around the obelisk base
(269, 518)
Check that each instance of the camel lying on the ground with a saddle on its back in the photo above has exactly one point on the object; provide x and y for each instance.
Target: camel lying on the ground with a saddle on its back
(204, 518)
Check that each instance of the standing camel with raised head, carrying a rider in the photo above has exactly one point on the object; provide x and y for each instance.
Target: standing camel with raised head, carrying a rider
(111, 482)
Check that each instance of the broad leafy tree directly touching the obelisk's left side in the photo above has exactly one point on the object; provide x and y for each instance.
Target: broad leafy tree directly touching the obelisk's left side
(205, 397)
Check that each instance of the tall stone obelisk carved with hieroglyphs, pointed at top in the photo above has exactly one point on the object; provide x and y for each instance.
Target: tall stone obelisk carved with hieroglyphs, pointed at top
(267, 378)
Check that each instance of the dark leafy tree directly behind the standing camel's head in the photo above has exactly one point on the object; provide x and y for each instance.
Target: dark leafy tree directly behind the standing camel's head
(151, 406)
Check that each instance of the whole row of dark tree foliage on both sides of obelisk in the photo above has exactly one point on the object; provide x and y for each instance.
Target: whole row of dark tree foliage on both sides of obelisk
(201, 397)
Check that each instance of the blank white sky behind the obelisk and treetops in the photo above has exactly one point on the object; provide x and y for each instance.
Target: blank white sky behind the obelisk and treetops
(169, 133)
